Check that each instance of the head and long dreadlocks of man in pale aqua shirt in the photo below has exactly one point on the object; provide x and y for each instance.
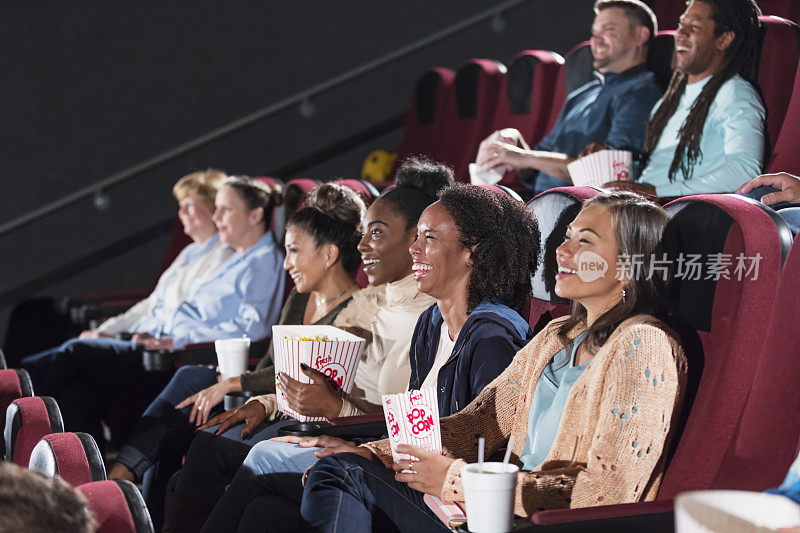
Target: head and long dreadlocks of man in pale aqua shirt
(715, 39)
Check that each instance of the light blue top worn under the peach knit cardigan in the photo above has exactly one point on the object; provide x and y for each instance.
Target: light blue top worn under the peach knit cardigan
(548, 402)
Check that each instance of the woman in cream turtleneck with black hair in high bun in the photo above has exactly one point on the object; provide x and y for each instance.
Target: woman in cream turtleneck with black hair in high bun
(384, 313)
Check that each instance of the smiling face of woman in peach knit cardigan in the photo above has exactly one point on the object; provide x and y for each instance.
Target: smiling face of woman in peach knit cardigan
(590, 237)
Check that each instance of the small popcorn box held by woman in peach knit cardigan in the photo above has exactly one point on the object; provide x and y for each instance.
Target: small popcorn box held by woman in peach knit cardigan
(413, 418)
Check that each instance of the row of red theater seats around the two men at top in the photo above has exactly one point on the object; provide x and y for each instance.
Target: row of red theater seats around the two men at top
(451, 112)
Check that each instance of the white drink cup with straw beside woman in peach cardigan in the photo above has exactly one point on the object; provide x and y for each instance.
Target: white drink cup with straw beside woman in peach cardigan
(489, 493)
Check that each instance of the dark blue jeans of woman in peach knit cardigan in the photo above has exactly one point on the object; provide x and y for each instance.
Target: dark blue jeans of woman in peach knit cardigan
(346, 492)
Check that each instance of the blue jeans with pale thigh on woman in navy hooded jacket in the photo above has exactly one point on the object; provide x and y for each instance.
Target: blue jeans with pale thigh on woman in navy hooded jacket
(271, 469)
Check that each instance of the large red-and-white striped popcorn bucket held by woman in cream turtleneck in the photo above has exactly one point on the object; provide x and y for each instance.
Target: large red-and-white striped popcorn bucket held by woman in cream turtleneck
(330, 350)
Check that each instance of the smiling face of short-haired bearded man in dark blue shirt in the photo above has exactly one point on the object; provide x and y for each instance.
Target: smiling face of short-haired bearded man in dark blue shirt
(614, 40)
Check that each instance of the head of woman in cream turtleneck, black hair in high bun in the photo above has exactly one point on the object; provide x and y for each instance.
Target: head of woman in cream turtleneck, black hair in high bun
(390, 225)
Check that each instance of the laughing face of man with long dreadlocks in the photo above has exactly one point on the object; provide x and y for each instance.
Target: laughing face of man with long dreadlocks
(698, 52)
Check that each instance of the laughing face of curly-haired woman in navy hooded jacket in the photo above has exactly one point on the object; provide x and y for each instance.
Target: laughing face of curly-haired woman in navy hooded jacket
(441, 265)
